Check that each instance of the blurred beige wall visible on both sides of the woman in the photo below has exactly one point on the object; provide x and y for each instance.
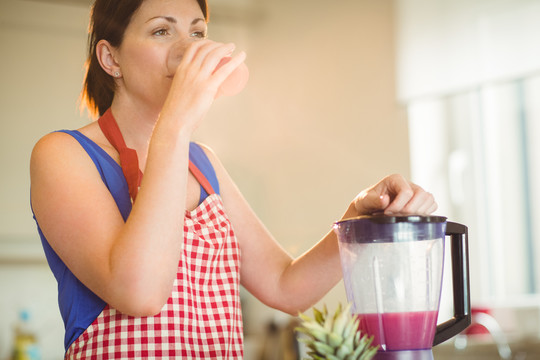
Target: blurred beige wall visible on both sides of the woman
(317, 123)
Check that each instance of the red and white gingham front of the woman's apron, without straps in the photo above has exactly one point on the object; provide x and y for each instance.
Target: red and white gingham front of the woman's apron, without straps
(202, 318)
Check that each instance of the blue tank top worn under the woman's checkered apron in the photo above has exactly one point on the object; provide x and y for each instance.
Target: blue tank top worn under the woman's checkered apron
(79, 306)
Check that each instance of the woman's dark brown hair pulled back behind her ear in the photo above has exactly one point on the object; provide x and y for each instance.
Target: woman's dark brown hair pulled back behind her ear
(108, 21)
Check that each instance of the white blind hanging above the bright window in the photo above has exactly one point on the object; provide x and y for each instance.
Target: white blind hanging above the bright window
(447, 46)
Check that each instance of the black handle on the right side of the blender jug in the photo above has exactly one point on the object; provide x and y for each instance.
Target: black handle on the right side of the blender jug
(460, 277)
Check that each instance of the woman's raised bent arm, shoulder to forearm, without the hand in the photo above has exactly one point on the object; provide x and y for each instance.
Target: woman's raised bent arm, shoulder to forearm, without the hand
(118, 261)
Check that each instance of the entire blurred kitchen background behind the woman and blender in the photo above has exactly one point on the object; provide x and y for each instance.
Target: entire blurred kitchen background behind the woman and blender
(341, 93)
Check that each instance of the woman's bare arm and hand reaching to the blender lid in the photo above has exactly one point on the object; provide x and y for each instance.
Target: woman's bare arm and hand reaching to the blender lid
(293, 285)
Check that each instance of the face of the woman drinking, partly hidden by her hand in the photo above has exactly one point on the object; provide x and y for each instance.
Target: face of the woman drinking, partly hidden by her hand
(156, 28)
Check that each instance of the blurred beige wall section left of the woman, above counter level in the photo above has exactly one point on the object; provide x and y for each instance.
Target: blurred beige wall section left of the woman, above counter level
(43, 51)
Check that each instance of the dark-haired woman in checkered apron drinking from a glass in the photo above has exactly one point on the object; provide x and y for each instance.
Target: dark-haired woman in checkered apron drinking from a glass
(150, 266)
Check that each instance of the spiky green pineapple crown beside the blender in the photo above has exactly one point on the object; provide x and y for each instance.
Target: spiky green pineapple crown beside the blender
(335, 337)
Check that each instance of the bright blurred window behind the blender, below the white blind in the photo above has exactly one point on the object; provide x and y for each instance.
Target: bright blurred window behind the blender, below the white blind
(478, 153)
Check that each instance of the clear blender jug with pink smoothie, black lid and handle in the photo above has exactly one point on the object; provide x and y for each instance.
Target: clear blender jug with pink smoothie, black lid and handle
(392, 270)
